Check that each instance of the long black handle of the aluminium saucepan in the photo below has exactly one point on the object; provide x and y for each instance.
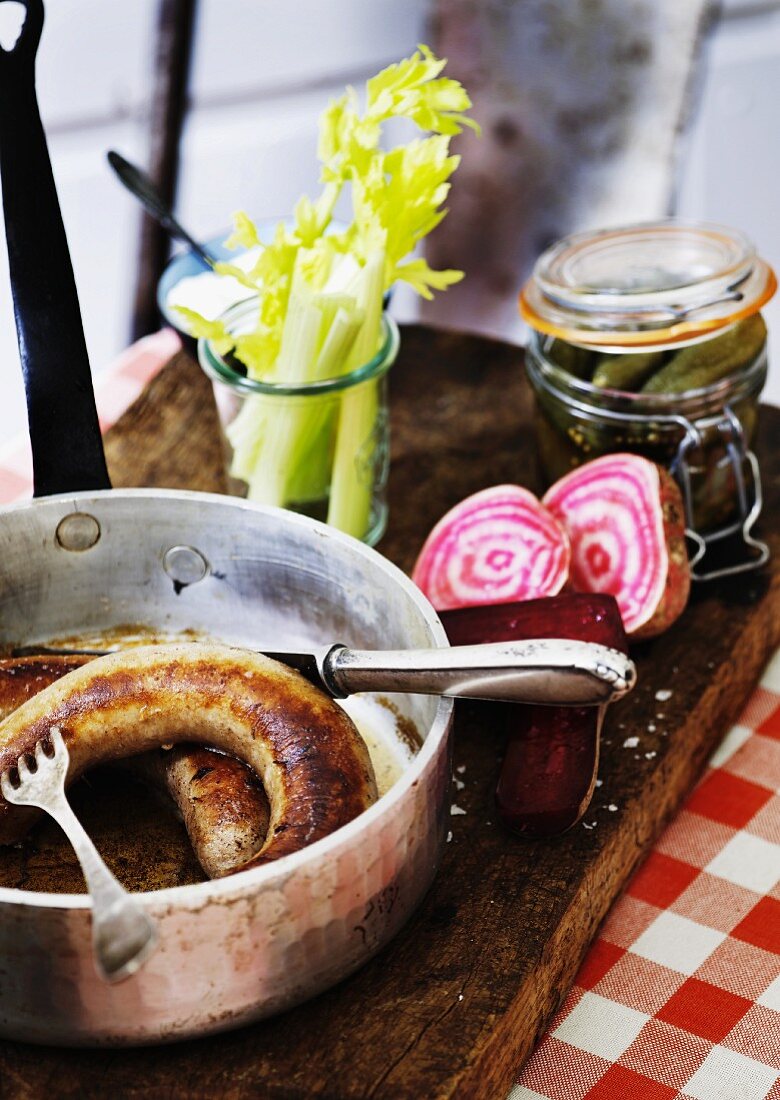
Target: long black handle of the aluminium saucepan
(64, 432)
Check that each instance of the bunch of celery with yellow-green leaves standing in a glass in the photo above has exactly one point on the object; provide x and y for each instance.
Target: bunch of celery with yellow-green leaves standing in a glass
(321, 290)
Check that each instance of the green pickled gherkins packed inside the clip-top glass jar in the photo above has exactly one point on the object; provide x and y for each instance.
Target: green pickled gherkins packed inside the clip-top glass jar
(620, 409)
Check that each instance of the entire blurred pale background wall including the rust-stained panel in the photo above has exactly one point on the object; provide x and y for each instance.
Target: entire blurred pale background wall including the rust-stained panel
(596, 112)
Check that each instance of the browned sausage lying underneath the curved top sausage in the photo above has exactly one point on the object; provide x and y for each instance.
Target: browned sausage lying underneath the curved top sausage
(223, 805)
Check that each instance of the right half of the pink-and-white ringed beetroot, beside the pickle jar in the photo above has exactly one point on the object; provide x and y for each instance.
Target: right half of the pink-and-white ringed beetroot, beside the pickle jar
(625, 521)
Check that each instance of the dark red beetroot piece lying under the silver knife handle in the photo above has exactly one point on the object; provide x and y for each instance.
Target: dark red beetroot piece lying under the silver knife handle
(552, 760)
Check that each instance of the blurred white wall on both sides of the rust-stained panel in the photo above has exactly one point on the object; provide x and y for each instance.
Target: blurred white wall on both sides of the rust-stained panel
(262, 73)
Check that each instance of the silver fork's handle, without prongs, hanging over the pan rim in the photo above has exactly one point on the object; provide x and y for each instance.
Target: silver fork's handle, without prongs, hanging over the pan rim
(124, 934)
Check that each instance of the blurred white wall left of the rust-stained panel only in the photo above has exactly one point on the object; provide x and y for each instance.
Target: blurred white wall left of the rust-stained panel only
(262, 73)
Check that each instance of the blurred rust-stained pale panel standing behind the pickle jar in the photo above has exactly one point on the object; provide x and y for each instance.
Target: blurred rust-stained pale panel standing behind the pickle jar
(583, 106)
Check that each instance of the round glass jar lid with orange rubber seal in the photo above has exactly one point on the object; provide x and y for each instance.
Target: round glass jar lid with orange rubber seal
(663, 282)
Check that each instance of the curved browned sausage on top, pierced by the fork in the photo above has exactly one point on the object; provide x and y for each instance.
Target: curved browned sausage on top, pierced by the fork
(312, 761)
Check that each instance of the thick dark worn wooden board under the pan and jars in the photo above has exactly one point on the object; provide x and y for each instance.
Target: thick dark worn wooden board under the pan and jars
(454, 1006)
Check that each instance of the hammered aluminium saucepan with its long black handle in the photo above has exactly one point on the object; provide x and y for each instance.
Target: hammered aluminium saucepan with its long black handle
(85, 559)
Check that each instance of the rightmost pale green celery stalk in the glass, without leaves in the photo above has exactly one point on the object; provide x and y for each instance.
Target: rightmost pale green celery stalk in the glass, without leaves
(351, 490)
